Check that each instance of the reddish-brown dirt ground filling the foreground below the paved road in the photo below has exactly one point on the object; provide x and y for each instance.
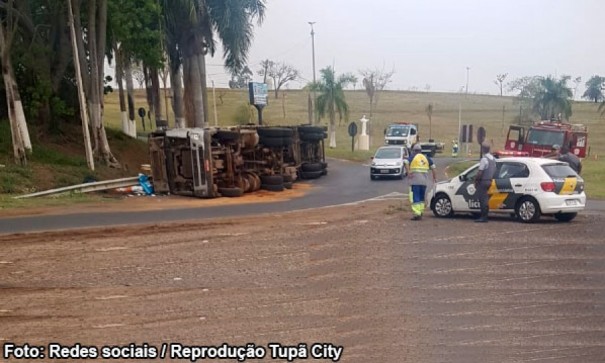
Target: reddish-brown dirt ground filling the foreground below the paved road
(361, 276)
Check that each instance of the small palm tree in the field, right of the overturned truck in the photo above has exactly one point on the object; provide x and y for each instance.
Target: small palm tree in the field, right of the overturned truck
(331, 98)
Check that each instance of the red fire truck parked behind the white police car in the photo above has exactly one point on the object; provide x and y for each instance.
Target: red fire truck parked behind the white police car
(542, 136)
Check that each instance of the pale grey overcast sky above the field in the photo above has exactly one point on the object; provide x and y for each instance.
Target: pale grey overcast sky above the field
(432, 42)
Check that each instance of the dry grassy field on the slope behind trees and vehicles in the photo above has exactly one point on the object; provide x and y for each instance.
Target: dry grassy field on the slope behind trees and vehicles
(494, 113)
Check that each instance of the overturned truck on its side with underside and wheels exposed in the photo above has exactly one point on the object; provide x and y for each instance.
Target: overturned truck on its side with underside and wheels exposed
(212, 162)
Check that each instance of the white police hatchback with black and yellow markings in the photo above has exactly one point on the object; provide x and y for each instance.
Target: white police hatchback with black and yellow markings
(524, 187)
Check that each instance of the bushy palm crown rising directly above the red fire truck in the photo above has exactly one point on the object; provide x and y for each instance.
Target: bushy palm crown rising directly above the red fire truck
(552, 98)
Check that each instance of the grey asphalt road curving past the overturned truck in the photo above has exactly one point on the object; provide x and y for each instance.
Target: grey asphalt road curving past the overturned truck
(346, 182)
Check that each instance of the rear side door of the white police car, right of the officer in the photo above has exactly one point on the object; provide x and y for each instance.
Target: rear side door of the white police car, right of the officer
(508, 185)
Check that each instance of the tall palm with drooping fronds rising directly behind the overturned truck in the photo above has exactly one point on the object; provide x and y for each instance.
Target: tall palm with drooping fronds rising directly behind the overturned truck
(190, 29)
